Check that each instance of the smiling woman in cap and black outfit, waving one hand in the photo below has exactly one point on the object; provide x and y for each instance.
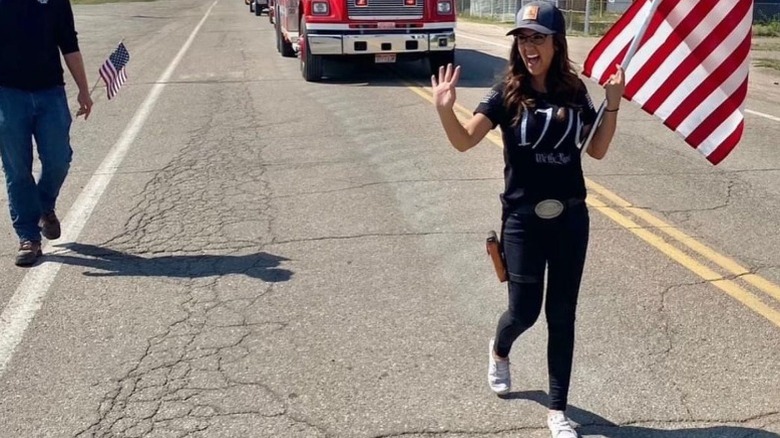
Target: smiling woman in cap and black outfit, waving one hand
(545, 115)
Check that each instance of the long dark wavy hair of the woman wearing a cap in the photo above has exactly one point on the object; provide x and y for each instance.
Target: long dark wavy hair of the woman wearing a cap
(562, 81)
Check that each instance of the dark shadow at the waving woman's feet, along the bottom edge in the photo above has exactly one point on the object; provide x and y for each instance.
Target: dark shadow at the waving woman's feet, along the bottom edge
(593, 424)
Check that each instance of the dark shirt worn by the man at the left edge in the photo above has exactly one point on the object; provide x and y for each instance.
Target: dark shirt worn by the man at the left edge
(32, 35)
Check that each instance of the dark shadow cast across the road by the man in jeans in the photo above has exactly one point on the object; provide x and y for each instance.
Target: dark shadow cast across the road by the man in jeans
(262, 265)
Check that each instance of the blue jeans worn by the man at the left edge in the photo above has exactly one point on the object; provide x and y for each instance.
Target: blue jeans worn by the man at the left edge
(43, 115)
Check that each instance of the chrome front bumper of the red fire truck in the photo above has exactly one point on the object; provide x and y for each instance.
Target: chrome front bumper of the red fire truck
(372, 44)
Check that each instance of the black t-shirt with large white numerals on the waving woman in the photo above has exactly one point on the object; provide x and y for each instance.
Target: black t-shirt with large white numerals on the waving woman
(542, 154)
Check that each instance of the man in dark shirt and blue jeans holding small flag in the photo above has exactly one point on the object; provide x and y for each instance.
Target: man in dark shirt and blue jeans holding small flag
(33, 105)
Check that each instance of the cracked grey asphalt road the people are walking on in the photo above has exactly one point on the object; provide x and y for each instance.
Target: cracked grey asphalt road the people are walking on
(249, 255)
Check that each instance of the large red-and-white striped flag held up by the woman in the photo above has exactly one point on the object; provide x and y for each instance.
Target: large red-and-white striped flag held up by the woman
(690, 69)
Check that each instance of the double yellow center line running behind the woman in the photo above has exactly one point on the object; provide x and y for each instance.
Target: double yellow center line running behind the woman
(644, 233)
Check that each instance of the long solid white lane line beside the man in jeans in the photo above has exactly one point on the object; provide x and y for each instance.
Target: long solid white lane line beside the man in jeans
(30, 294)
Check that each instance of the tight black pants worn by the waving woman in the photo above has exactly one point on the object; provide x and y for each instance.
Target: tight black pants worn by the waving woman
(530, 243)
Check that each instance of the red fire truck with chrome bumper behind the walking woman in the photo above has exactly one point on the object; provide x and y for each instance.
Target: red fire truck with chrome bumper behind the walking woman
(383, 31)
